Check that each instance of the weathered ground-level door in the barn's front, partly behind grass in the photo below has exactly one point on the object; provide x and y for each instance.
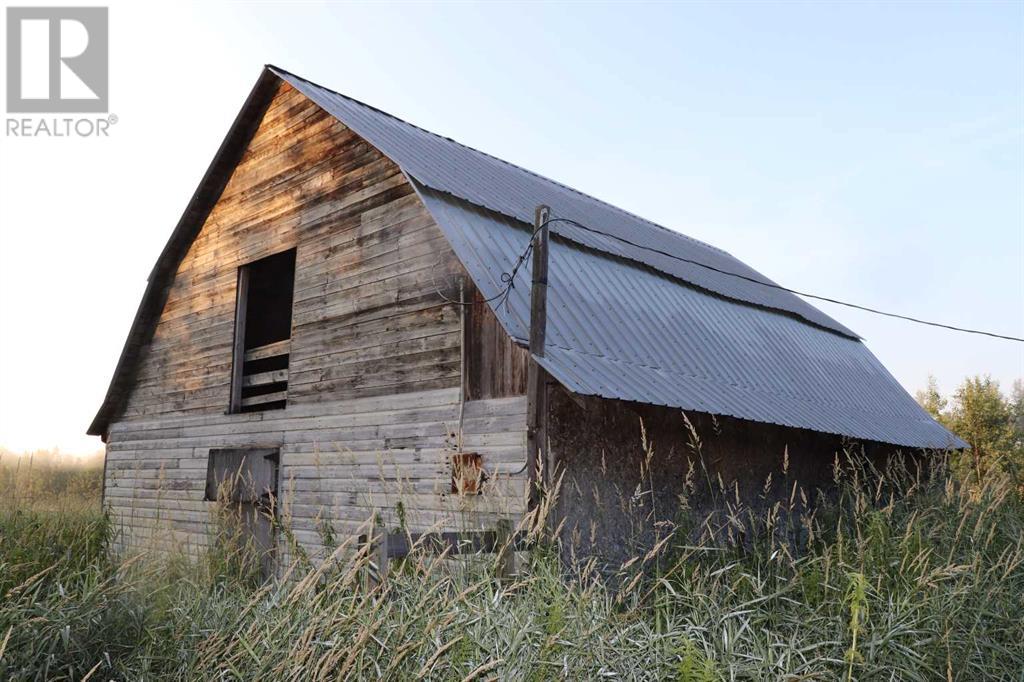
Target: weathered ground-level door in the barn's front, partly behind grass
(245, 481)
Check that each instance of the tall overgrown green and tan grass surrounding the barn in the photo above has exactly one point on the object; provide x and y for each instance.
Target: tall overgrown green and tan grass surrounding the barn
(901, 579)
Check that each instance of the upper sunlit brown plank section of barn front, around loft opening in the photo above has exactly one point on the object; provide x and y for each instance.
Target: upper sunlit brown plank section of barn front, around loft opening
(366, 320)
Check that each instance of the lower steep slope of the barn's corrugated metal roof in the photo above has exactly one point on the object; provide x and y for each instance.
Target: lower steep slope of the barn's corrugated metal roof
(620, 330)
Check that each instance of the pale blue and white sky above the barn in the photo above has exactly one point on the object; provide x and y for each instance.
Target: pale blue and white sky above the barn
(868, 152)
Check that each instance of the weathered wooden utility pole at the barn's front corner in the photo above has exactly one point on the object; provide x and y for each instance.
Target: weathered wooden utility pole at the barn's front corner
(537, 380)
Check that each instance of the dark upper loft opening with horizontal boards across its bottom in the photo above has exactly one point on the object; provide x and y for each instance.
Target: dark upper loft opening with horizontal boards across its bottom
(263, 333)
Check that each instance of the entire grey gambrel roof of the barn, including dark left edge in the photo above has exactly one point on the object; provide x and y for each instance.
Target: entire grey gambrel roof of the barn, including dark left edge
(629, 318)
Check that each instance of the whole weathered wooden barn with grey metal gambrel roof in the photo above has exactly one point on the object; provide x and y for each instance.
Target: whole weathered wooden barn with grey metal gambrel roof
(339, 314)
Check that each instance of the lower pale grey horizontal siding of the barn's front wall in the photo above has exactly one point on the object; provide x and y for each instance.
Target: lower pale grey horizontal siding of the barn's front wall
(342, 461)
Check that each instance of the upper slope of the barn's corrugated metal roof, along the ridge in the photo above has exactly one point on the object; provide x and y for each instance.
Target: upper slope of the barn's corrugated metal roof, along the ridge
(447, 166)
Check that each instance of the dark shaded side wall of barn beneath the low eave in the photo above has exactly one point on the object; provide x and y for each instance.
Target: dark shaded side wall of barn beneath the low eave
(606, 497)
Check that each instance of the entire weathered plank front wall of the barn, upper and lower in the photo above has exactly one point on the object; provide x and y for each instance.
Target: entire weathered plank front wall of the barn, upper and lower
(373, 395)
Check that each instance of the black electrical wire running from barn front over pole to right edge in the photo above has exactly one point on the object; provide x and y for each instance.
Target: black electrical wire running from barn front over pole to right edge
(509, 280)
